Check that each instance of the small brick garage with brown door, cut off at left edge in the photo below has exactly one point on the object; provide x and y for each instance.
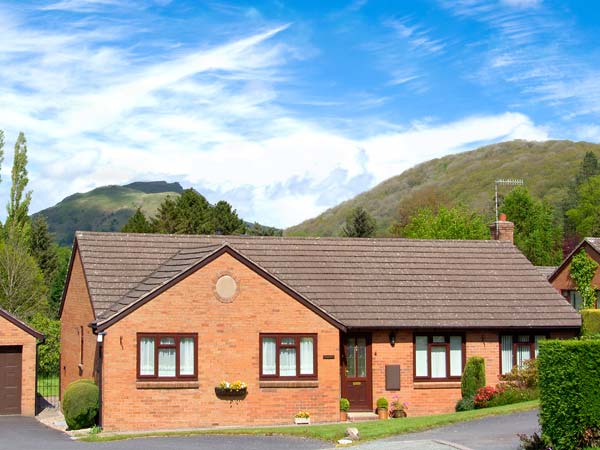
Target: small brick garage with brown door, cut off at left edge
(18, 356)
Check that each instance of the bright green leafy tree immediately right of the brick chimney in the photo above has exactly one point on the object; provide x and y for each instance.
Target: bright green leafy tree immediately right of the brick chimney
(536, 233)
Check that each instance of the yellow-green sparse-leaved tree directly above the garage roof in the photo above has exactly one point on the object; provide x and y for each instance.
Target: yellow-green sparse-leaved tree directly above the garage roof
(22, 288)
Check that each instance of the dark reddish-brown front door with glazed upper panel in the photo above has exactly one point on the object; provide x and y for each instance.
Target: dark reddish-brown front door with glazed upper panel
(356, 371)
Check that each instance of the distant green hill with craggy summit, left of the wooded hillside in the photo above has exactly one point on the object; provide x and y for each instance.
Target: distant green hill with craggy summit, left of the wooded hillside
(105, 208)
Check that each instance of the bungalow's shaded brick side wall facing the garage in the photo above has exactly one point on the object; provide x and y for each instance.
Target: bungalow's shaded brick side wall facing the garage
(76, 315)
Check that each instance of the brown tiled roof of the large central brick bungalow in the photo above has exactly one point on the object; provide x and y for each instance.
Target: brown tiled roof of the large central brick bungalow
(358, 282)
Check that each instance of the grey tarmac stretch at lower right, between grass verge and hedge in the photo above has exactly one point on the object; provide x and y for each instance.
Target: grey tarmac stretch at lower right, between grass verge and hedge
(491, 433)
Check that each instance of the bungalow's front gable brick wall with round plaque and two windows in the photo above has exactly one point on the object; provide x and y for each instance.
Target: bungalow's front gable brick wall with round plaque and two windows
(228, 349)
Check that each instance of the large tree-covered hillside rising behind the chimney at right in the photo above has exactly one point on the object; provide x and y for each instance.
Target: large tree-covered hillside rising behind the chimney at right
(467, 177)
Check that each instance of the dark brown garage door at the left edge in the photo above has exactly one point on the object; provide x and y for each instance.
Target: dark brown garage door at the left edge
(10, 380)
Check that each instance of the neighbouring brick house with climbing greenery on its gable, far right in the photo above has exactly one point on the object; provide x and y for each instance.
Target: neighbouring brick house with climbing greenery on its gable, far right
(561, 277)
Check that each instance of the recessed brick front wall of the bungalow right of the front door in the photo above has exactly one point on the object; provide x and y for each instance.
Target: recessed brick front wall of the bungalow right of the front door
(432, 397)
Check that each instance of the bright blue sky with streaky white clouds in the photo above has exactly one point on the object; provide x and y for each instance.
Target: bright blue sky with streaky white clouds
(285, 108)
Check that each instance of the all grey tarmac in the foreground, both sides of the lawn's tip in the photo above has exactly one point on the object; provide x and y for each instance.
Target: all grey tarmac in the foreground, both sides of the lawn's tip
(493, 433)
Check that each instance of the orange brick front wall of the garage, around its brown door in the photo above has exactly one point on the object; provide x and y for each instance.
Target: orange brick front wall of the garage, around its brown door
(10, 334)
